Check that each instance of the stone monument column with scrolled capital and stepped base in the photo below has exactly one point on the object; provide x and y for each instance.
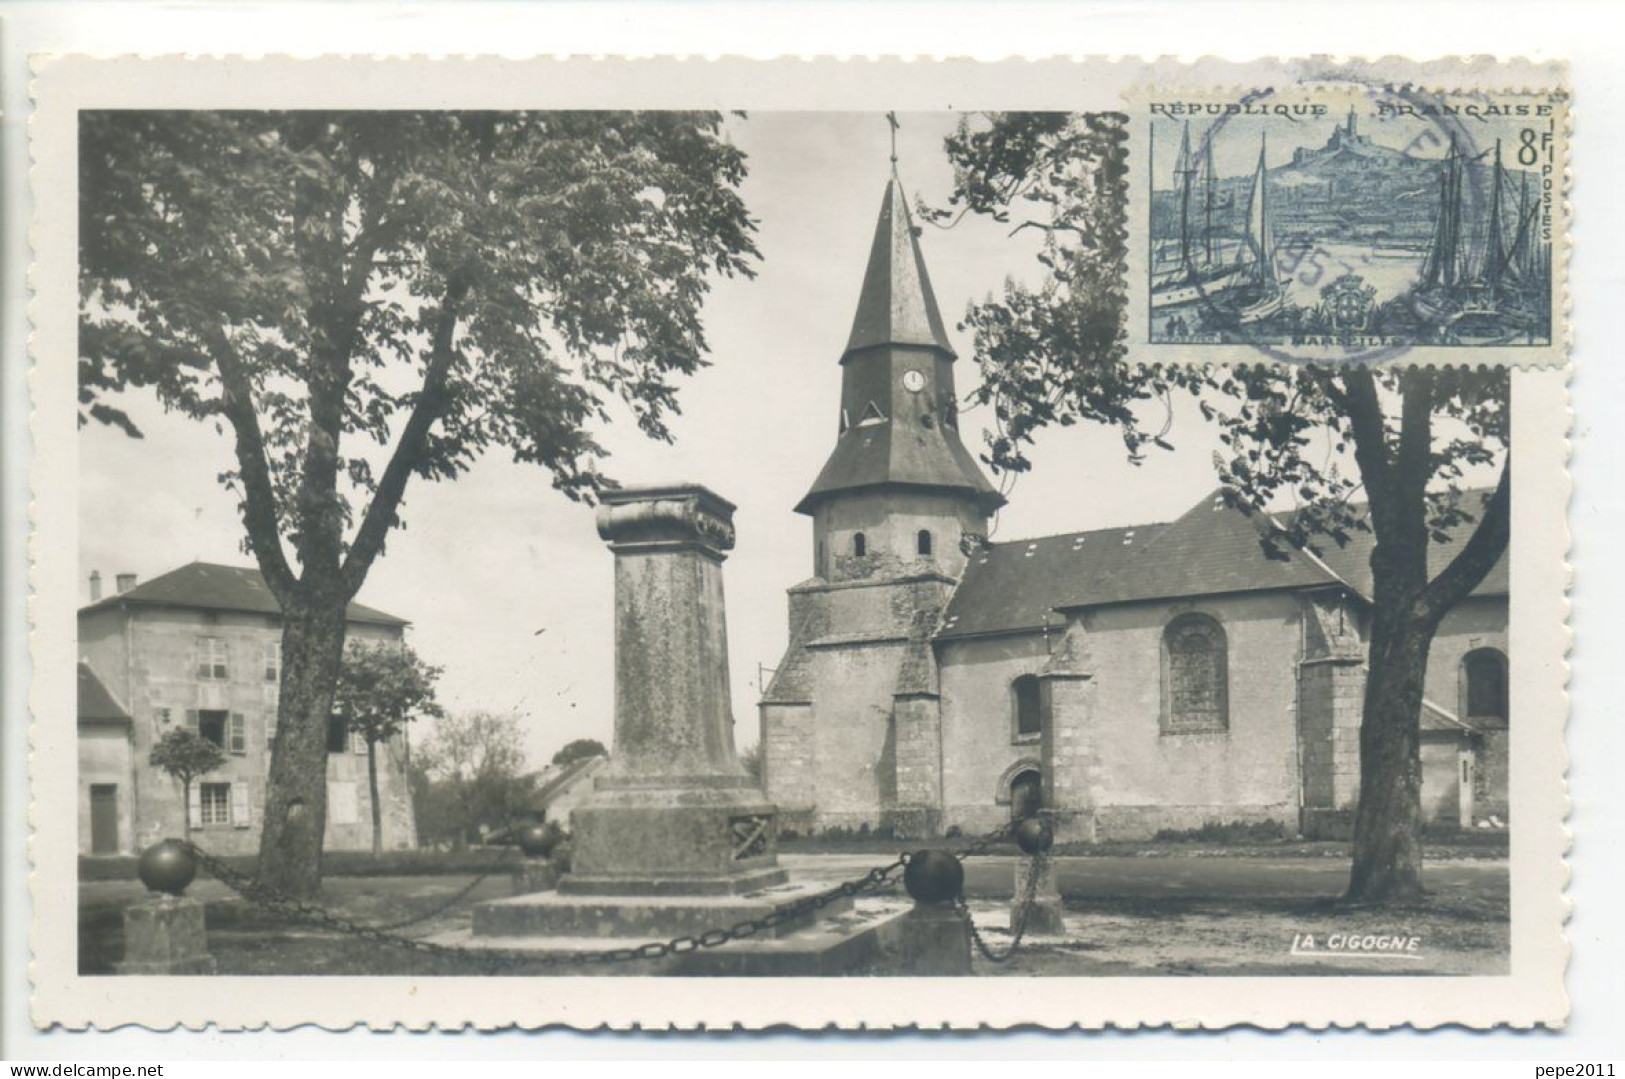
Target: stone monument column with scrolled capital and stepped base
(677, 839)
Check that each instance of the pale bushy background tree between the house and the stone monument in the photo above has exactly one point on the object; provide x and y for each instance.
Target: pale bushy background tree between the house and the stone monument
(474, 769)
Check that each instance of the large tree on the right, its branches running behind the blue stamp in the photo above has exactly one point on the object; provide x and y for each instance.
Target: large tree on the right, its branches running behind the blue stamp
(1054, 355)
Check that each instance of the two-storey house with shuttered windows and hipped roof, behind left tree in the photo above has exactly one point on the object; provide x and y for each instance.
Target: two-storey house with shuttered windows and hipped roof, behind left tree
(201, 648)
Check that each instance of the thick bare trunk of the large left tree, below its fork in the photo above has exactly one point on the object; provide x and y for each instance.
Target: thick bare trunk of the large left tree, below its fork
(297, 795)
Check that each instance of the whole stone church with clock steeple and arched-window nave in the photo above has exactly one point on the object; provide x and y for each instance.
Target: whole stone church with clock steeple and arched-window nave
(1129, 680)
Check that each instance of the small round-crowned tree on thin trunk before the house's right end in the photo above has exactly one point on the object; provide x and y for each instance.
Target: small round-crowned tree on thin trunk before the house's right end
(381, 690)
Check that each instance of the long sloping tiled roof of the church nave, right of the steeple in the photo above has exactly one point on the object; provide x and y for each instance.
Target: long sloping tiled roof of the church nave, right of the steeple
(1211, 550)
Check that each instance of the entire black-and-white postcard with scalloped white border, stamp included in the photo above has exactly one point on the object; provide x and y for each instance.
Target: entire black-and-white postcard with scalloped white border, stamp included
(1114, 472)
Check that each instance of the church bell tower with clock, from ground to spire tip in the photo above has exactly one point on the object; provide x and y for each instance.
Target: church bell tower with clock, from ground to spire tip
(852, 722)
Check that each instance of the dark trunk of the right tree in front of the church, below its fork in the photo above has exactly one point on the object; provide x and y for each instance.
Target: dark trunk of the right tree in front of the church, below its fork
(1389, 823)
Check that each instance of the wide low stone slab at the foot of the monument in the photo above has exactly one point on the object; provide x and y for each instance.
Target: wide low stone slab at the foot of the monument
(644, 917)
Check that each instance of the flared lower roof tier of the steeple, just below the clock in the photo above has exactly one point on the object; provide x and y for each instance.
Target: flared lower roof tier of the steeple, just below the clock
(870, 456)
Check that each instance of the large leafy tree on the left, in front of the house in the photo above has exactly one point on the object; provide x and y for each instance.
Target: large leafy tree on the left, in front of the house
(362, 298)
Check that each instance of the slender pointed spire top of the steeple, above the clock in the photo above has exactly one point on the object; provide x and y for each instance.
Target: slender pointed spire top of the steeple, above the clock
(898, 305)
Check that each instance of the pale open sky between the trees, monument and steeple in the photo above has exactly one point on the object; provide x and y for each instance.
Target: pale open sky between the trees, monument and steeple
(506, 583)
